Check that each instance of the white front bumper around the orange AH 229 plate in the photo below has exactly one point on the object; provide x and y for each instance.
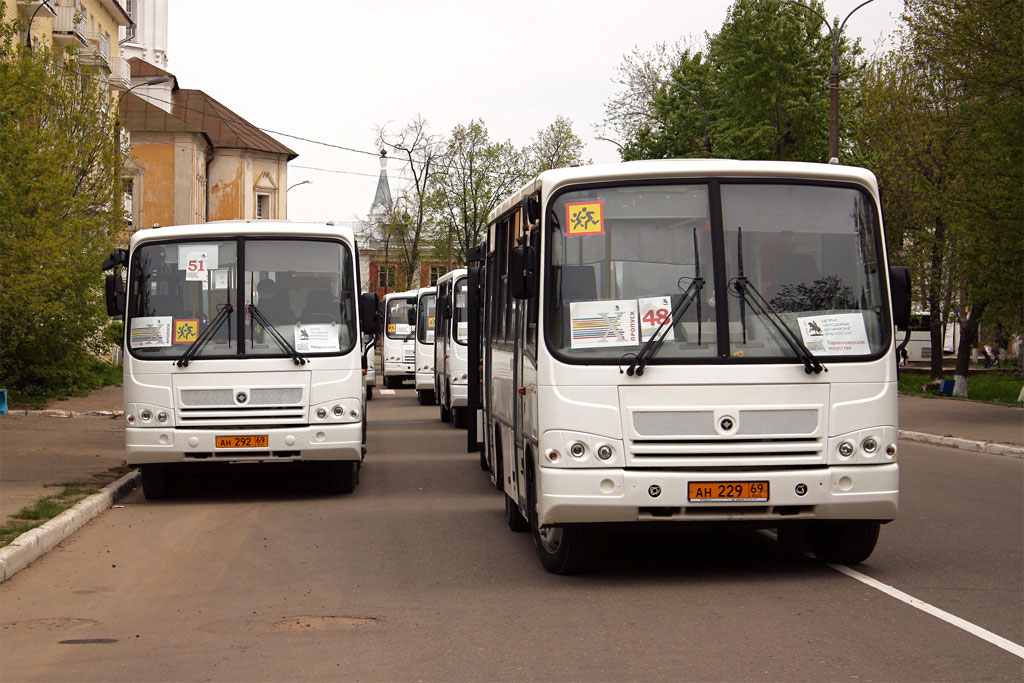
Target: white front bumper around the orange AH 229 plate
(587, 496)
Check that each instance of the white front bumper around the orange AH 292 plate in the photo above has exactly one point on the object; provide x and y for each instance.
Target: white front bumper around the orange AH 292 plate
(339, 442)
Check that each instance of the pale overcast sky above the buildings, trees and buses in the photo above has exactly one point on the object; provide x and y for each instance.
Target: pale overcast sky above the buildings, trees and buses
(335, 71)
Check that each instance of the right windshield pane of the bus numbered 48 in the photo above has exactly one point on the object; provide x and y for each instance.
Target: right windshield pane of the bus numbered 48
(813, 254)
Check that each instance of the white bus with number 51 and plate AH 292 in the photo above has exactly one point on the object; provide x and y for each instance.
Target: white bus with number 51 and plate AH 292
(243, 347)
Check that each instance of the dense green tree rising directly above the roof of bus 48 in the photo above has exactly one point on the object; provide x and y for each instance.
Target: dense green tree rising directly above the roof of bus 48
(757, 92)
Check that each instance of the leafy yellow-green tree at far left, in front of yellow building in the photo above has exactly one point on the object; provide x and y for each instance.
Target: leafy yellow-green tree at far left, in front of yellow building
(60, 164)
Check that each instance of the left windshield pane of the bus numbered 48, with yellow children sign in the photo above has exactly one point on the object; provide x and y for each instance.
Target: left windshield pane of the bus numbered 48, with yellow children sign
(621, 260)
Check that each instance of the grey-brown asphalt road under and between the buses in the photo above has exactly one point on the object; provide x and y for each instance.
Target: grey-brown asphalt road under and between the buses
(416, 577)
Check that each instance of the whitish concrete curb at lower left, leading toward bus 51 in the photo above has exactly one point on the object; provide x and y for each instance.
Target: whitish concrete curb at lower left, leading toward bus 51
(29, 547)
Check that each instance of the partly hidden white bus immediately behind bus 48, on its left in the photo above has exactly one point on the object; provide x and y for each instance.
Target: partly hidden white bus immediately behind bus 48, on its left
(451, 371)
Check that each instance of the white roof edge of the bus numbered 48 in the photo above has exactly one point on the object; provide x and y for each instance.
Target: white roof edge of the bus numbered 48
(675, 169)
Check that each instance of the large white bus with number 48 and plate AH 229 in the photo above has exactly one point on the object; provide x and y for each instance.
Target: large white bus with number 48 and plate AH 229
(685, 341)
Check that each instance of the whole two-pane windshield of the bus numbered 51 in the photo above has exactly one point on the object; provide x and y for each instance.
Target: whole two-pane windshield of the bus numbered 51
(303, 290)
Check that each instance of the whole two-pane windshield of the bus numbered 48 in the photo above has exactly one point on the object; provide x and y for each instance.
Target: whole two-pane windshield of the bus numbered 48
(621, 260)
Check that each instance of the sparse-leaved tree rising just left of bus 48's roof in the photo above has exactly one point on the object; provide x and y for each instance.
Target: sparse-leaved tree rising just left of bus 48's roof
(476, 177)
